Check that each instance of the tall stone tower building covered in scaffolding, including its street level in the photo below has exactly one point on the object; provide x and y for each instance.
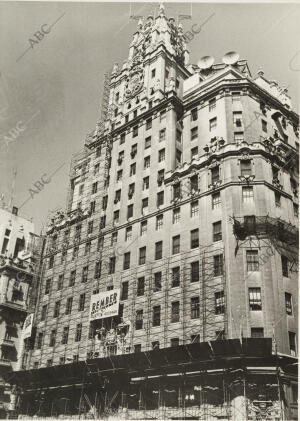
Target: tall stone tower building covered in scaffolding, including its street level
(182, 214)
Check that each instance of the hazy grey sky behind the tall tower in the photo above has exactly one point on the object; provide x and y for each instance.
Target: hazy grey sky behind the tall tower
(56, 85)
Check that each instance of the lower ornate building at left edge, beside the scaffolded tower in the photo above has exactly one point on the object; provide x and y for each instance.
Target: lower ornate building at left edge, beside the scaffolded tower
(18, 262)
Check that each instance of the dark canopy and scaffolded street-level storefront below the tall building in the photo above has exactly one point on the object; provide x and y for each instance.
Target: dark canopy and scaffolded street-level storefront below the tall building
(225, 379)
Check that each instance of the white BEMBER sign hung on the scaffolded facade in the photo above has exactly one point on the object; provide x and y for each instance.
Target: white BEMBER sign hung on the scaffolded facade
(105, 304)
